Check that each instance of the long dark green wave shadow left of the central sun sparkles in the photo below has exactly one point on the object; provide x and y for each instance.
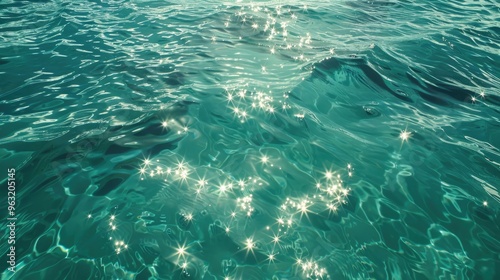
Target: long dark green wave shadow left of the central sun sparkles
(60, 161)
